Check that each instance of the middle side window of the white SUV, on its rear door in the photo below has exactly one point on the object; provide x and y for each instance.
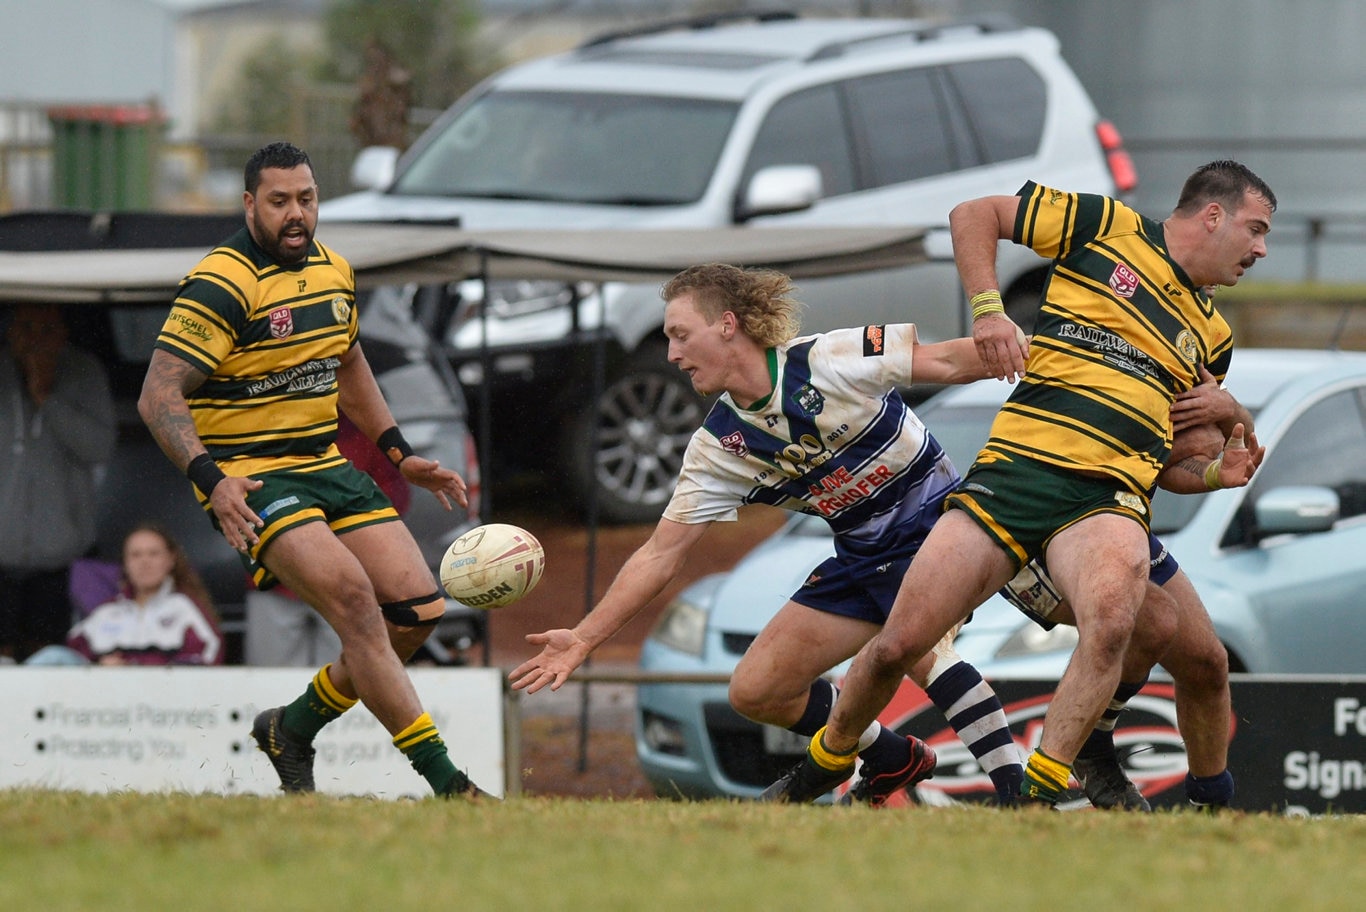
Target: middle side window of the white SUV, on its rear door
(904, 124)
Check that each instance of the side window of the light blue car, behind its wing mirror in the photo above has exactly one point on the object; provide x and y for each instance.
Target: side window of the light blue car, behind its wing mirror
(1326, 447)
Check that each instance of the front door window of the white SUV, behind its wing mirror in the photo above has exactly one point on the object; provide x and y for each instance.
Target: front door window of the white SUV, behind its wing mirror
(807, 129)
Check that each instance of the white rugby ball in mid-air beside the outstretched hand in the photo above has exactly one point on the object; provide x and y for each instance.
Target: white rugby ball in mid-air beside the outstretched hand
(492, 566)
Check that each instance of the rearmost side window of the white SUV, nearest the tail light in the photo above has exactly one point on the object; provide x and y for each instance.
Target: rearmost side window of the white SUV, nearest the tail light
(1006, 102)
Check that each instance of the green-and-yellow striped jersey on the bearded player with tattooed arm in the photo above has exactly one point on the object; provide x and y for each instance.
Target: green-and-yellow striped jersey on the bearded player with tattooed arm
(271, 339)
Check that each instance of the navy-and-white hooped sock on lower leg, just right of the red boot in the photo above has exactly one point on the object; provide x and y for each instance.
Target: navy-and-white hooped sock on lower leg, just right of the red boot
(976, 713)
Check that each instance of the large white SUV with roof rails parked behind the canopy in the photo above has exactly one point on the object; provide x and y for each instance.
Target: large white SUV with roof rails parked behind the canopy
(734, 119)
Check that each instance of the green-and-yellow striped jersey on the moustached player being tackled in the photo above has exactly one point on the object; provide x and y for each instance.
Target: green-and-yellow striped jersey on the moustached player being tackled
(1121, 332)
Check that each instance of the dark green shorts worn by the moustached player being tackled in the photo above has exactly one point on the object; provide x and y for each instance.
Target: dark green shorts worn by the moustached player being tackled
(1022, 503)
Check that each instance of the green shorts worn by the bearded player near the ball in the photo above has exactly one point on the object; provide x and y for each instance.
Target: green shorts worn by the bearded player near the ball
(341, 496)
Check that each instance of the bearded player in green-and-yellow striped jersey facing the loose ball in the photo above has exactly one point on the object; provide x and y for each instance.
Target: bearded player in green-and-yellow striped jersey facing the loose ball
(256, 357)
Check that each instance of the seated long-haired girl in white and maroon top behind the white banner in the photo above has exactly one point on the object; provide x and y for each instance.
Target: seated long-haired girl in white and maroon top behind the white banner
(163, 615)
